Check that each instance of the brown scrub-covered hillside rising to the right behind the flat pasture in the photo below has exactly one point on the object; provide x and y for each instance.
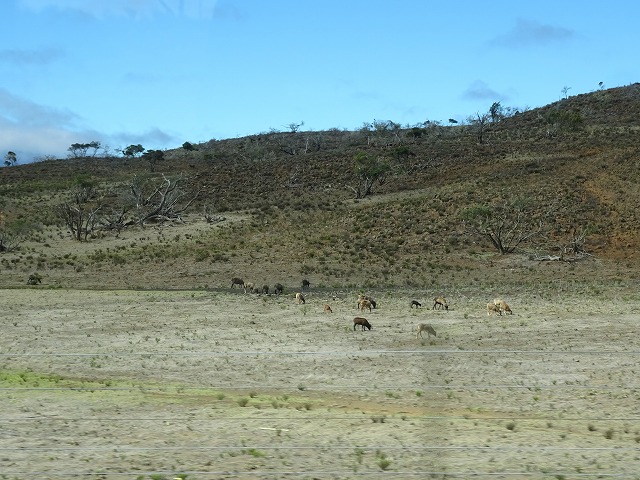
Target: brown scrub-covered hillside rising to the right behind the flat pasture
(289, 209)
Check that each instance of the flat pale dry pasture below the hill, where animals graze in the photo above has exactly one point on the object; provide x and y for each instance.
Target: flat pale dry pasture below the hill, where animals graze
(222, 384)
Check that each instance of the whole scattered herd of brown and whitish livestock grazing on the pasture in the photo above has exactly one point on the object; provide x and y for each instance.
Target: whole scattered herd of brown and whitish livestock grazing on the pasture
(498, 306)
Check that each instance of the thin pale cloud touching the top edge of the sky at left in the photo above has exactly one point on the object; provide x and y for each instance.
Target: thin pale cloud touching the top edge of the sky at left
(202, 9)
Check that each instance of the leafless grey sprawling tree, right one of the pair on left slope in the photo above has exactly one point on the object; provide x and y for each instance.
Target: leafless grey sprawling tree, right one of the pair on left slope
(159, 200)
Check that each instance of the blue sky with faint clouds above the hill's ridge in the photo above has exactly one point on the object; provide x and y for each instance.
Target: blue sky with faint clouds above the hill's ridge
(162, 72)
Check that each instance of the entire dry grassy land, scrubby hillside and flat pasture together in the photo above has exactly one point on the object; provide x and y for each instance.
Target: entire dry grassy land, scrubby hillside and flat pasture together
(131, 357)
